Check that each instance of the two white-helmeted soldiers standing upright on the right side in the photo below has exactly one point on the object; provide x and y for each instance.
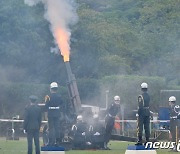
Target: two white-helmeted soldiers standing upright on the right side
(143, 118)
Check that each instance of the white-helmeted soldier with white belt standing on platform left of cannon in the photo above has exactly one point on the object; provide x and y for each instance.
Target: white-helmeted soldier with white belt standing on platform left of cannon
(52, 106)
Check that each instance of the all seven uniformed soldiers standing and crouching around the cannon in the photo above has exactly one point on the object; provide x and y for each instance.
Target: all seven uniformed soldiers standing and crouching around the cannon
(94, 135)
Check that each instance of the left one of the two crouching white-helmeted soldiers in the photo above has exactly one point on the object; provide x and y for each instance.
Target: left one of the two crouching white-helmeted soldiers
(79, 133)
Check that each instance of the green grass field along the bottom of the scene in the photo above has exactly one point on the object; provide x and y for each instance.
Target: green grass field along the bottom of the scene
(20, 147)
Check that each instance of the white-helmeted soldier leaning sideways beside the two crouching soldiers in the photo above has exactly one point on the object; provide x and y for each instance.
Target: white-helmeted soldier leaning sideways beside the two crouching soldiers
(110, 119)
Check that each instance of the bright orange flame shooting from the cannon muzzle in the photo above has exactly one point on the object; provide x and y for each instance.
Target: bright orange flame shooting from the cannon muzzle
(62, 38)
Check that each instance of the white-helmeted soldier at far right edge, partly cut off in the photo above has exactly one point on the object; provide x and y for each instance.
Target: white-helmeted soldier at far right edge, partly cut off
(174, 114)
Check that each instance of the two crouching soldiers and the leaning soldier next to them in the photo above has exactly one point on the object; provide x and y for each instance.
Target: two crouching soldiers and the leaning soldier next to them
(98, 133)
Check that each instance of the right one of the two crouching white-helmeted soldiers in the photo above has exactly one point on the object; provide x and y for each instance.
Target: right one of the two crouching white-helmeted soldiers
(97, 133)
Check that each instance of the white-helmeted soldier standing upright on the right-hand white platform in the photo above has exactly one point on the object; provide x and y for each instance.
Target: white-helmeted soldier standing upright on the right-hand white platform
(143, 118)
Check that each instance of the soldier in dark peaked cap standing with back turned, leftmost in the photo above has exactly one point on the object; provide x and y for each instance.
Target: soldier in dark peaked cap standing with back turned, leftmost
(32, 123)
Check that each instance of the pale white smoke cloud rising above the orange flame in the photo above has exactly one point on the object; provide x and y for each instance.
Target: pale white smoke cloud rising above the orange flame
(60, 13)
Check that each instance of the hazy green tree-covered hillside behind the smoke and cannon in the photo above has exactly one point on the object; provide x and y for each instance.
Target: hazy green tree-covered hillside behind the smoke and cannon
(112, 37)
